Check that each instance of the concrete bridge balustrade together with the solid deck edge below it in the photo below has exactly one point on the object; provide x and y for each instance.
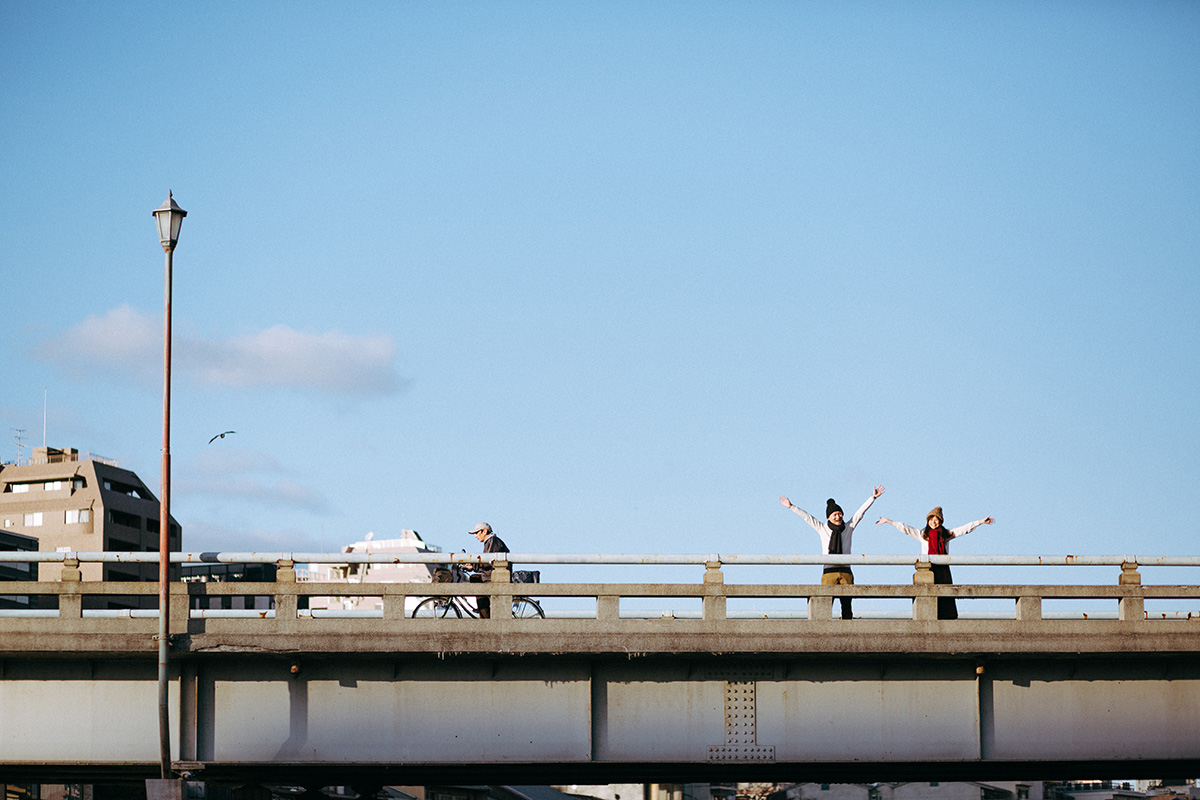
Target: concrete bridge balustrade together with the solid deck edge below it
(602, 616)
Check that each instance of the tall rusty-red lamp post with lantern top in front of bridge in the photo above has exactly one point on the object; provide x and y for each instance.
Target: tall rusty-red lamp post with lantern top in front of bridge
(170, 219)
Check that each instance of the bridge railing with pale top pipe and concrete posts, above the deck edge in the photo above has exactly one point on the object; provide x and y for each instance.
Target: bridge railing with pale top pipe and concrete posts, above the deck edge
(286, 599)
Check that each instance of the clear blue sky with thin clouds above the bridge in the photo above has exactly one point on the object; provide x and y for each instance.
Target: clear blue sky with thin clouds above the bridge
(616, 276)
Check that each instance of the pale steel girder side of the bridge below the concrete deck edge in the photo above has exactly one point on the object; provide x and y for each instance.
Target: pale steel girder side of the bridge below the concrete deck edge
(544, 719)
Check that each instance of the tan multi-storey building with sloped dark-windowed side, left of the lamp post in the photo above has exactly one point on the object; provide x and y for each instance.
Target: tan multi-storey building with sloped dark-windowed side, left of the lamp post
(83, 503)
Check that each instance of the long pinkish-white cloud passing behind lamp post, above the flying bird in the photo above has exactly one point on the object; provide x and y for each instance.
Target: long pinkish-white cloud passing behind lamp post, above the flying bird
(129, 344)
